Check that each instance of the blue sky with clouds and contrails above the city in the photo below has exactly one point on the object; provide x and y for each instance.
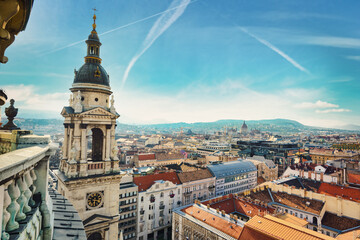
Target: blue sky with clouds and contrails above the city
(201, 60)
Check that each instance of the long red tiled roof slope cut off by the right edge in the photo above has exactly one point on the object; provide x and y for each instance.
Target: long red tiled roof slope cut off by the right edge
(348, 193)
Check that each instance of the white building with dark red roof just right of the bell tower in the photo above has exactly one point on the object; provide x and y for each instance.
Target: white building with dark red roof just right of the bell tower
(158, 195)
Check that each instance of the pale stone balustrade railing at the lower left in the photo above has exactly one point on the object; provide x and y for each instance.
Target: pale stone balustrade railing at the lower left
(23, 194)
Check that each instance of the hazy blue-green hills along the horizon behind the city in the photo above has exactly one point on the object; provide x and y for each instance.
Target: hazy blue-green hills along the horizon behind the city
(276, 126)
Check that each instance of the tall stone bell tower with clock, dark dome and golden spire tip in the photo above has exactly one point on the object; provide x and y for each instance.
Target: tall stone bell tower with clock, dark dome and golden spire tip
(89, 170)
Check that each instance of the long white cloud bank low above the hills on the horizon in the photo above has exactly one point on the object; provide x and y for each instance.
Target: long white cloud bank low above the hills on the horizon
(198, 102)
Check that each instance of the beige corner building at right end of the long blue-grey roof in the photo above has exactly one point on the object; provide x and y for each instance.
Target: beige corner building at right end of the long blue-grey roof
(266, 168)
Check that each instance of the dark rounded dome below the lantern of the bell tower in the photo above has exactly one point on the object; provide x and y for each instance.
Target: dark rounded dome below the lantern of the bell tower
(92, 73)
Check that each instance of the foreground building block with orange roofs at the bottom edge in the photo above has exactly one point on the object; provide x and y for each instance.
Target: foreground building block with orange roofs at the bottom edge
(235, 218)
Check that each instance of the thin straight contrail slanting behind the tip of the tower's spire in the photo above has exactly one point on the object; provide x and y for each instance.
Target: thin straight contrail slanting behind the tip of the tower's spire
(123, 26)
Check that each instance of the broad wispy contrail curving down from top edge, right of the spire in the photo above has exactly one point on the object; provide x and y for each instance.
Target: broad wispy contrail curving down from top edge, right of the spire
(159, 27)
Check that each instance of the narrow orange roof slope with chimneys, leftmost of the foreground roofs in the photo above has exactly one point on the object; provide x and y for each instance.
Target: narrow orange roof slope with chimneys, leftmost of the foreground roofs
(214, 221)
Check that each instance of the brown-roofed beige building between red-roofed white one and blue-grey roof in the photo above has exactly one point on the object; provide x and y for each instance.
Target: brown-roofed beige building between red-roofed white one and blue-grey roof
(198, 184)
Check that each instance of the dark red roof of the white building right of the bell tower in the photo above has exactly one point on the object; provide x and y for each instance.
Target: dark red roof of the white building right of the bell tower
(145, 182)
